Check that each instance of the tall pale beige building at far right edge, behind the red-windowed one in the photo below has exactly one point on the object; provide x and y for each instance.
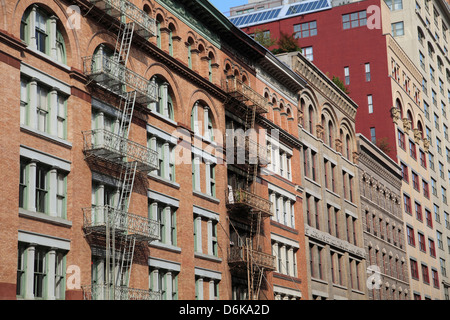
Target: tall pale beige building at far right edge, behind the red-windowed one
(421, 29)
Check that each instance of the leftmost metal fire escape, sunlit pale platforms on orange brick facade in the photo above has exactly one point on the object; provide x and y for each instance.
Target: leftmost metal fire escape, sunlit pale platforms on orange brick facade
(113, 226)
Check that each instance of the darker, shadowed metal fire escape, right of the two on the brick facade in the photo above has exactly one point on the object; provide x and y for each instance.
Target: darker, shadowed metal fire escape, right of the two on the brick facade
(243, 203)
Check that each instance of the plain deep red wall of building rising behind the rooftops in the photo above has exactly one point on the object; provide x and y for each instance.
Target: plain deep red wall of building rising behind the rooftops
(345, 49)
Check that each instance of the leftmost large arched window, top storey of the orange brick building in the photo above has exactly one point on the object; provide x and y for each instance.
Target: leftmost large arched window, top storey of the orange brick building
(46, 35)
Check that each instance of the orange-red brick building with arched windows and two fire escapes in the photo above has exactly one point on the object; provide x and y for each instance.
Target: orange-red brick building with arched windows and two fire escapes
(102, 100)
